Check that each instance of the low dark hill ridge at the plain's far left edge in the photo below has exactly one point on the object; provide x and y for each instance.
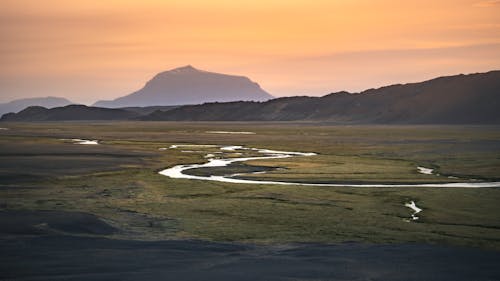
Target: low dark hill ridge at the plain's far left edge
(69, 113)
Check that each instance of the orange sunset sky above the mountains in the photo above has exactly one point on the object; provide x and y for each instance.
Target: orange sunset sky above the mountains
(88, 50)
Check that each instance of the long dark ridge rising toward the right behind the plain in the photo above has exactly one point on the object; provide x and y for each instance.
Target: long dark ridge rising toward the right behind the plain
(460, 99)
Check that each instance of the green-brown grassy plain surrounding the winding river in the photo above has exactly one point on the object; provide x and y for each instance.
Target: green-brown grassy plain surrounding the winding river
(118, 181)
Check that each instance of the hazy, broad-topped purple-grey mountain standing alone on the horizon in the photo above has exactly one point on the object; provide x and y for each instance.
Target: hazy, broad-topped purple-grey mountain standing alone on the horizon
(188, 85)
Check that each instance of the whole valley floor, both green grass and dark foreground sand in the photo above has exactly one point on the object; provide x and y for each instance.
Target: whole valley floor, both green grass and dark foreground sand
(114, 189)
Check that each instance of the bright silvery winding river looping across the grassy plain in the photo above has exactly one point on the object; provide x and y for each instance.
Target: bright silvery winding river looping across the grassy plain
(177, 172)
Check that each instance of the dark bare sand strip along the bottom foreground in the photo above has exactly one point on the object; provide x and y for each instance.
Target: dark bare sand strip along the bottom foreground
(33, 246)
